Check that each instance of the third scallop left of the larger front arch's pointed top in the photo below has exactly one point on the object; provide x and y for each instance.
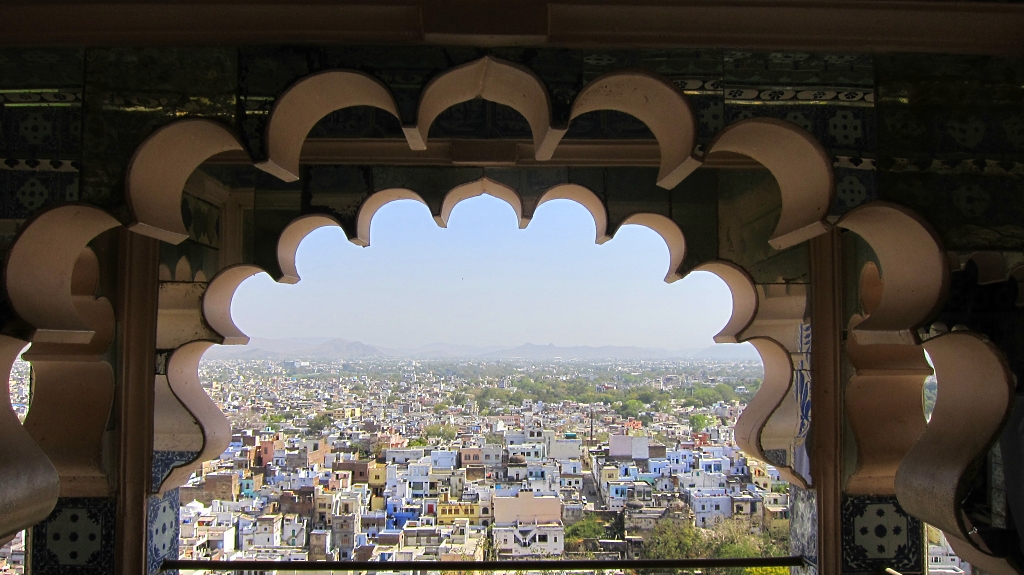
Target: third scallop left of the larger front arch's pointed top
(40, 269)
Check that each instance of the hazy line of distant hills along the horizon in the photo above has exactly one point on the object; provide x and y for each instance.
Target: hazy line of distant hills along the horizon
(326, 348)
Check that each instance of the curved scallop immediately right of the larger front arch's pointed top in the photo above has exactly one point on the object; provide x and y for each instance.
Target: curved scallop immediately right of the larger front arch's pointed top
(651, 99)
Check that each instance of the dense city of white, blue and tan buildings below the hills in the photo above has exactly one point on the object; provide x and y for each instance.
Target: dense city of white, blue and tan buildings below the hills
(441, 460)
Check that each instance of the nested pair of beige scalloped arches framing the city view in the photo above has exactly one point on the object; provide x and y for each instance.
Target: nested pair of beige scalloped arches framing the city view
(50, 287)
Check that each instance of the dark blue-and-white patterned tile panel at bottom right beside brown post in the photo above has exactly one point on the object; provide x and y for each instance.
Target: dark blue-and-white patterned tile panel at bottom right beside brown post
(879, 535)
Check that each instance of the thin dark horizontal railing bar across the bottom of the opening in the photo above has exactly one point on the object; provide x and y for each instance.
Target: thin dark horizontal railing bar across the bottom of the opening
(487, 566)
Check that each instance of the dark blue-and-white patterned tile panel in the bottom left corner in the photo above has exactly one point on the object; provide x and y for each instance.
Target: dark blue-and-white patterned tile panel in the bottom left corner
(77, 539)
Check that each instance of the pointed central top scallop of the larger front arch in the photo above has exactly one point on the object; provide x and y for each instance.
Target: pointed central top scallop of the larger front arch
(492, 79)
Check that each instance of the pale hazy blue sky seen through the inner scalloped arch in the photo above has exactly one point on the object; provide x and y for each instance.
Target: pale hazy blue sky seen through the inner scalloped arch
(484, 282)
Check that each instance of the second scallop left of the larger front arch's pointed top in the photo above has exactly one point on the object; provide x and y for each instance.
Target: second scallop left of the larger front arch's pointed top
(159, 169)
